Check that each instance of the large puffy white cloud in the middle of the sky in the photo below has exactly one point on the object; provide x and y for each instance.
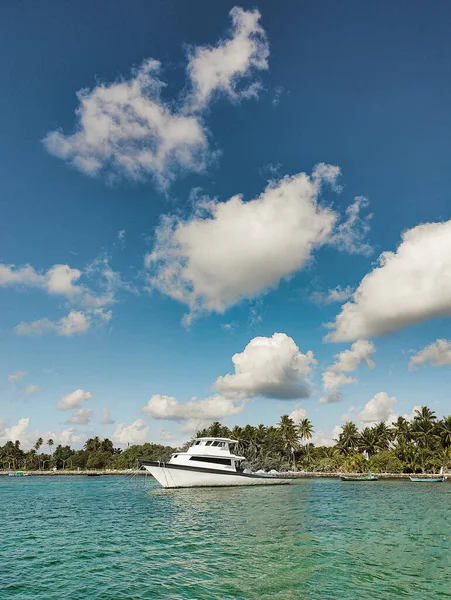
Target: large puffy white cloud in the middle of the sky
(232, 250)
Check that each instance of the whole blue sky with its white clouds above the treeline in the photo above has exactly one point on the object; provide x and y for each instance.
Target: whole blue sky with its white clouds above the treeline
(130, 168)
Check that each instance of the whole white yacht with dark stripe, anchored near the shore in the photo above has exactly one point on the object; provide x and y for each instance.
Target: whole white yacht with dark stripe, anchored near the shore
(208, 462)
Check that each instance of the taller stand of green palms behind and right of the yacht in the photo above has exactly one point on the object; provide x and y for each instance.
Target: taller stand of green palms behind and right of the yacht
(420, 446)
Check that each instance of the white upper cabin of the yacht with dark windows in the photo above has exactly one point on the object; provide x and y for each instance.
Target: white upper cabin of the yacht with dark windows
(210, 452)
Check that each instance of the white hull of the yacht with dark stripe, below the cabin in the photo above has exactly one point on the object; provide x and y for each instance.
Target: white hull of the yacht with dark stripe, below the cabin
(177, 476)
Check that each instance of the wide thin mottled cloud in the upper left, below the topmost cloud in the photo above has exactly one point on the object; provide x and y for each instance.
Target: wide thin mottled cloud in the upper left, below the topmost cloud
(128, 130)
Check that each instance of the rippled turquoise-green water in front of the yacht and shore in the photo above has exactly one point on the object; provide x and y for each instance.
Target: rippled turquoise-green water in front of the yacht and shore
(106, 538)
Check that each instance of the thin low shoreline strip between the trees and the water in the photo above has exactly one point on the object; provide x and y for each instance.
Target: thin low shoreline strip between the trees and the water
(141, 473)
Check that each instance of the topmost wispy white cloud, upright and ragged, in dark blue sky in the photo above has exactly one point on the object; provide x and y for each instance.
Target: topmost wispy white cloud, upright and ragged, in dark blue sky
(220, 68)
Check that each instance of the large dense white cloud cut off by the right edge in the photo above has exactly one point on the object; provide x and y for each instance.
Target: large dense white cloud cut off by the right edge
(407, 287)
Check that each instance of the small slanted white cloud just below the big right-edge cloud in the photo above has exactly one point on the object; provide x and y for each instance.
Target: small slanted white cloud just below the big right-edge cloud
(346, 362)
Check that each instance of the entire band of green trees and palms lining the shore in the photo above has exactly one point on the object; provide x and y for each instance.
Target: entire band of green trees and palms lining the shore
(420, 446)
